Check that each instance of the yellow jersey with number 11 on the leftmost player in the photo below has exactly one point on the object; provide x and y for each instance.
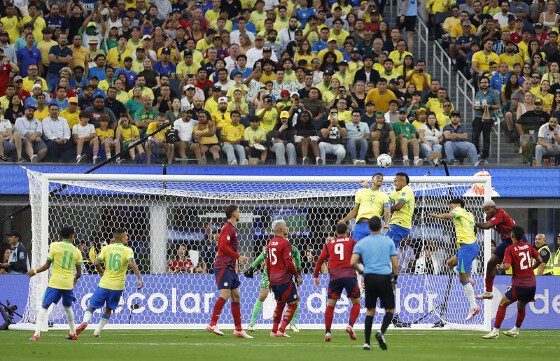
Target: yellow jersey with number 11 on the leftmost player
(64, 257)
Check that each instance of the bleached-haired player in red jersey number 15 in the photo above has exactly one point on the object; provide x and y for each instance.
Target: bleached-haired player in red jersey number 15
(281, 268)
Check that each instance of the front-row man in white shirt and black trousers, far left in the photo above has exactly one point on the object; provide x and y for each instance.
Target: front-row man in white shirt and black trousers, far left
(57, 135)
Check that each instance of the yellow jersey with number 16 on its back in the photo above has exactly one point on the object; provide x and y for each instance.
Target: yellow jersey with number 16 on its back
(116, 257)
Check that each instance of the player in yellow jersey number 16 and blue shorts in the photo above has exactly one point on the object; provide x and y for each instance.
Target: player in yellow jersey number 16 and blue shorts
(118, 258)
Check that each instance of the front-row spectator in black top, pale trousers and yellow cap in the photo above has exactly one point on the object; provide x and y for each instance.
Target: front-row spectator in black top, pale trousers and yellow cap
(281, 139)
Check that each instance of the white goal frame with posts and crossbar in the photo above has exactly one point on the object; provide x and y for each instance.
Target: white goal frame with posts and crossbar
(47, 178)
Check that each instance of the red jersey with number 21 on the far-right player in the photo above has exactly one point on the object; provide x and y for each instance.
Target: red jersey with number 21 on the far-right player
(519, 255)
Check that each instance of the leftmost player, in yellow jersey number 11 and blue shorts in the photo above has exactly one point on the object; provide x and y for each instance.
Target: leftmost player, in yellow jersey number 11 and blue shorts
(64, 258)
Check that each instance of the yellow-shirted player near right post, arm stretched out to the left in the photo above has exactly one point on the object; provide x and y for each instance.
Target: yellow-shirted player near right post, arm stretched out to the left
(468, 248)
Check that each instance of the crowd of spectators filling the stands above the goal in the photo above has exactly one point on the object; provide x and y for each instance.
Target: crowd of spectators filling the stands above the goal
(249, 82)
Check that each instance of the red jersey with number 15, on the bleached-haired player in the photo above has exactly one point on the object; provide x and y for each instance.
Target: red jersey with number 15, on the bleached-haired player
(279, 264)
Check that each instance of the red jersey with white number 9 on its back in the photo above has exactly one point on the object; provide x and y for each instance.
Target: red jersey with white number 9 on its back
(339, 252)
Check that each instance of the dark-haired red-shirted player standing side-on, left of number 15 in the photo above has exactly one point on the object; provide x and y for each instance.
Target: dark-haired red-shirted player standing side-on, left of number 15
(226, 275)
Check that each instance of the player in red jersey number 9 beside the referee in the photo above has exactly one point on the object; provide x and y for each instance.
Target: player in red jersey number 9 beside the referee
(342, 277)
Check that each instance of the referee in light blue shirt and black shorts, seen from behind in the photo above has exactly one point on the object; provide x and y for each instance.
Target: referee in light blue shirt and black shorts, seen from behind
(380, 268)
